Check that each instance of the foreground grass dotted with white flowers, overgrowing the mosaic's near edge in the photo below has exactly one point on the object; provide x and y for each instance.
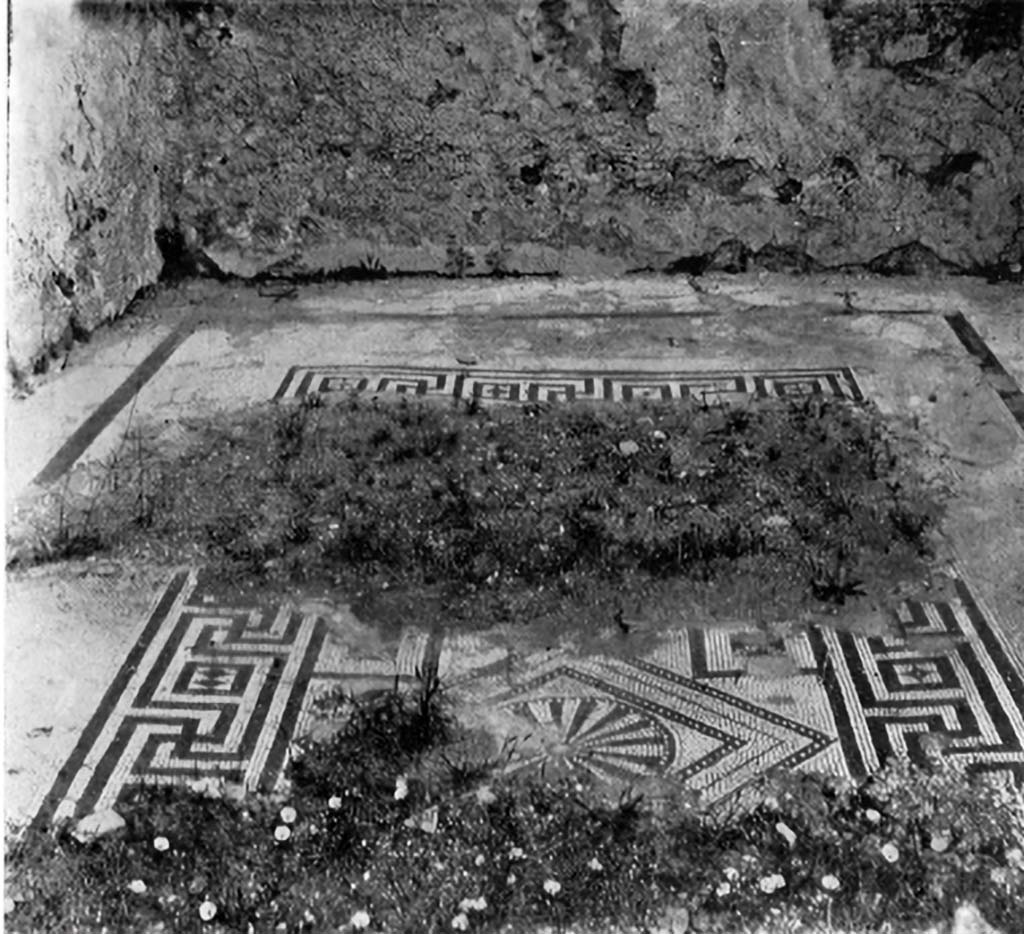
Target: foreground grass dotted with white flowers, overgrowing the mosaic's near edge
(387, 828)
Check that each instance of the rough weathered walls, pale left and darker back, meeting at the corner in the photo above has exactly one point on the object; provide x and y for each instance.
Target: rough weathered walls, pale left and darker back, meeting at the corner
(321, 138)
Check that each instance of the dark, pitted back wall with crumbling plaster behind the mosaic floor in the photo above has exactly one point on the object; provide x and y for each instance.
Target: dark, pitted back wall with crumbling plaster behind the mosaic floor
(601, 136)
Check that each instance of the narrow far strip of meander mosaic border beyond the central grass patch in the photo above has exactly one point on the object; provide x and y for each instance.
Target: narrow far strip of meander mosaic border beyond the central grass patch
(569, 386)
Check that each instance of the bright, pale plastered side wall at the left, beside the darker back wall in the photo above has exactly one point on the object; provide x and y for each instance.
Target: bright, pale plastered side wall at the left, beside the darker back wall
(86, 141)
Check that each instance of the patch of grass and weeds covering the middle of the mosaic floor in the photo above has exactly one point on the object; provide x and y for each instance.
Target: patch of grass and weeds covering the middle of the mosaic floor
(535, 511)
